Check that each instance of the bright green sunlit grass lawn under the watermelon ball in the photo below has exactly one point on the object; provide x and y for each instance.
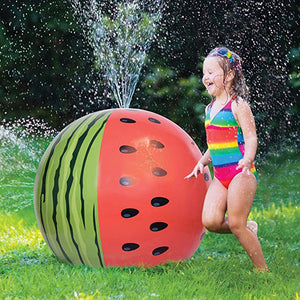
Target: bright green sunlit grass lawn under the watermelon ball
(220, 269)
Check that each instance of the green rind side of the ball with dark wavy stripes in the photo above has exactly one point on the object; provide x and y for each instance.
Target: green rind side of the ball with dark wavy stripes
(69, 166)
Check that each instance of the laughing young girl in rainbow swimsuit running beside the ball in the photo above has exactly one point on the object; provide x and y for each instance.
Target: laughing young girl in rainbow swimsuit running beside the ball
(232, 142)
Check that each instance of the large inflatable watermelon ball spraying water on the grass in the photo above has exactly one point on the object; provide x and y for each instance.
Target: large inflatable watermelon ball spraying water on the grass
(110, 191)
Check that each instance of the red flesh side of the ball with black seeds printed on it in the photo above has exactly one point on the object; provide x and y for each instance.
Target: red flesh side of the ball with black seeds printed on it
(148, 214)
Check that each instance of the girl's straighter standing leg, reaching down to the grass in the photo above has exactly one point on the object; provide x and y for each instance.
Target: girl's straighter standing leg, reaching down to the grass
(241, 193)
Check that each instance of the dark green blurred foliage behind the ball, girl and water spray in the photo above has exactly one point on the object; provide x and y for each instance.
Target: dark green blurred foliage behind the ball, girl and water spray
(47, 67)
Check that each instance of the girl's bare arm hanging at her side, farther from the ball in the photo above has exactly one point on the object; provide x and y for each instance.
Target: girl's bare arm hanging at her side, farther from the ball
(246, 121)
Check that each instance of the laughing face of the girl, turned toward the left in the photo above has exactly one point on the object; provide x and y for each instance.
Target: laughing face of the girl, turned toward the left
(213, 76)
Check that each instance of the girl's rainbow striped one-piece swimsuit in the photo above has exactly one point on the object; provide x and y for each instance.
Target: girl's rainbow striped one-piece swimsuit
(225, 142)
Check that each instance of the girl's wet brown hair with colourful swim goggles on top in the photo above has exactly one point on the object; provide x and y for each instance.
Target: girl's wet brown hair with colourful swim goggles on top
(228, 61)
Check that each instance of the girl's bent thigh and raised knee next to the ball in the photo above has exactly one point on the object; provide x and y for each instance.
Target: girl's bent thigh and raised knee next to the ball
(215, 205)
